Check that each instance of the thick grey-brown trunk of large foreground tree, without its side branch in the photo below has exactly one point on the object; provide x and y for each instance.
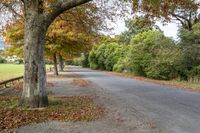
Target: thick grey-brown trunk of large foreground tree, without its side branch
(34, 88)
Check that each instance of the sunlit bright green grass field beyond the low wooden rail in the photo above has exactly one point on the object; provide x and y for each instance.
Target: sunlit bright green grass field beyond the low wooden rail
(8, 71)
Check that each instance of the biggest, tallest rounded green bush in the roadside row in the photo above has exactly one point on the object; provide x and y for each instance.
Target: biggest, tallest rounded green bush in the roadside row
(154, 55)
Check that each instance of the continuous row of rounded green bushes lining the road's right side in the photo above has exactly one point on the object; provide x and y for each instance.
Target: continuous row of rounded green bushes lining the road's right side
(149, 54)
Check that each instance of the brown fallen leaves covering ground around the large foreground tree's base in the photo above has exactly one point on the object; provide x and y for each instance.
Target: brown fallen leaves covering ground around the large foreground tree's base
(75, 108)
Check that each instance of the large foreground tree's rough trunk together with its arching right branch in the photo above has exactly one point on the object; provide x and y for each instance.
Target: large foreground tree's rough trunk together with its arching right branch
(37, 21)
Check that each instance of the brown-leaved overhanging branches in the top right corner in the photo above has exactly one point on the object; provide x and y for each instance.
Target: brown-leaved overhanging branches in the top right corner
(186, 12)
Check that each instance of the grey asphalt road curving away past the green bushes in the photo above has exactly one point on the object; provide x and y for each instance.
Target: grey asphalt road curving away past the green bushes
(174, 110)
